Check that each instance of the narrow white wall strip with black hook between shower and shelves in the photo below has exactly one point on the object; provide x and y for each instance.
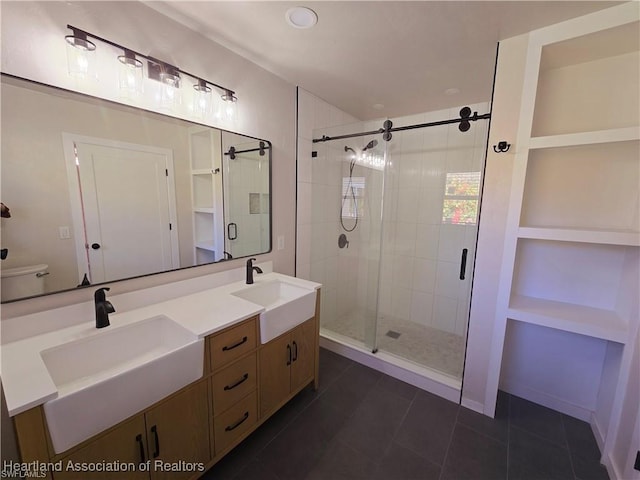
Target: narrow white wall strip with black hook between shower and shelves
(495, 203)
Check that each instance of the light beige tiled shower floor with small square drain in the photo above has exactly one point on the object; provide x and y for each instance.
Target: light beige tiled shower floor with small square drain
(425, 346)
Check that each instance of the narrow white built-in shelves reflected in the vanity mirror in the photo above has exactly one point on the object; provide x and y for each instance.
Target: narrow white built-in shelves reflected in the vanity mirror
(206, 194)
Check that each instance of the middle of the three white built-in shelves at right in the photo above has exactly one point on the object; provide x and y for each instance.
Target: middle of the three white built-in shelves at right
(601, 236)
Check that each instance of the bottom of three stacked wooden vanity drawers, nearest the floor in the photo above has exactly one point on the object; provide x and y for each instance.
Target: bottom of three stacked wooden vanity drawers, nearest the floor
(233, 423)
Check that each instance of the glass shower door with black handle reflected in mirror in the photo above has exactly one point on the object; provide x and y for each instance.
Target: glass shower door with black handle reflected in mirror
(246, 198)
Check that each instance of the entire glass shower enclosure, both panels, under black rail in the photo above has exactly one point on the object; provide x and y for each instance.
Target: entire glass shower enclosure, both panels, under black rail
(393, 236)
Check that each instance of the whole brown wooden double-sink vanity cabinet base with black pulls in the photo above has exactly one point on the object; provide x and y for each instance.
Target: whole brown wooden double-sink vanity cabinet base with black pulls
(244, 382)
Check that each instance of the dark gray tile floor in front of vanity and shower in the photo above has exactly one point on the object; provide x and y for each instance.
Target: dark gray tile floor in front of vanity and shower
(362, 424)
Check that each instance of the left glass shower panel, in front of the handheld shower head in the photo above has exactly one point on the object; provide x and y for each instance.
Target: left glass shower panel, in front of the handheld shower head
(346, 229)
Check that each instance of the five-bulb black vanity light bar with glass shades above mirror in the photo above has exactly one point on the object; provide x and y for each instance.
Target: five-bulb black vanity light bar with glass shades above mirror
(131, 77)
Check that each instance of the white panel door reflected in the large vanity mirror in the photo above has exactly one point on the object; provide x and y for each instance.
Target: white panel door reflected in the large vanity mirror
(127, 210)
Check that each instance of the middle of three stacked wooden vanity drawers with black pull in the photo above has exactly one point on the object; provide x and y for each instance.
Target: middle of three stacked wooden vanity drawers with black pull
(233, 383)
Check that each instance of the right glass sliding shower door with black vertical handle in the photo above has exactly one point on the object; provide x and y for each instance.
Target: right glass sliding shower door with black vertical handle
(432, 199)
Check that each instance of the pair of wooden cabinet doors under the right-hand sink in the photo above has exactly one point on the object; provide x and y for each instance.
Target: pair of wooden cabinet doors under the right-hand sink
(287, 364)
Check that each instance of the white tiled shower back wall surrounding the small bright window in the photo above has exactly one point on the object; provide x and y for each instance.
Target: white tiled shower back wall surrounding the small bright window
(420, 253)
